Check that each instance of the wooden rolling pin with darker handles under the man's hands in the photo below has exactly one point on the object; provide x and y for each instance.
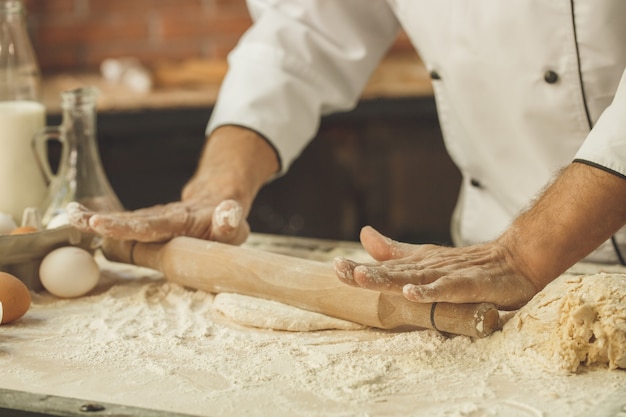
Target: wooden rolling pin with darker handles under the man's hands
(311, 285)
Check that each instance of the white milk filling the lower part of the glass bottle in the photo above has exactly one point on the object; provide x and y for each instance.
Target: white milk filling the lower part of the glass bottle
(22, 183)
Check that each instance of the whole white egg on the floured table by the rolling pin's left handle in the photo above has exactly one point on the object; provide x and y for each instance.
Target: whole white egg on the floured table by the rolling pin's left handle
(69, 272)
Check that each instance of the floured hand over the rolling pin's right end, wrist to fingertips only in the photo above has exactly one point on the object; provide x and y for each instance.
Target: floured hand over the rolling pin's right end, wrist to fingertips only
(429, 273)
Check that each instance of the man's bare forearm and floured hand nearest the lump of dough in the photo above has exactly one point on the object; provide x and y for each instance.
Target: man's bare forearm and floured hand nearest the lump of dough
(582, 208)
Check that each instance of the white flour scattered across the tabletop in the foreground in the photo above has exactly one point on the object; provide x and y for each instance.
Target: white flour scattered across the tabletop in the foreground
(139, 341)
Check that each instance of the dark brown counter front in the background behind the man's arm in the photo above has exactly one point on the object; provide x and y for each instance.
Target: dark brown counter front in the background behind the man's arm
(382, 164)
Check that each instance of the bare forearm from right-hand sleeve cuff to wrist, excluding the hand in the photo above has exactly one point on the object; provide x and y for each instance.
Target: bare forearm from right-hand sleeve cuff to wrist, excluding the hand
(580, 210)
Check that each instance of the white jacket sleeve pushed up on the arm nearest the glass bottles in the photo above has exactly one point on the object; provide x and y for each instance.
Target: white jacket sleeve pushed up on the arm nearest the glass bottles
(298, 61)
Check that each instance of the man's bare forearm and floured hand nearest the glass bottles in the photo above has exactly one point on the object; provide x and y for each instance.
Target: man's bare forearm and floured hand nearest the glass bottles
(235, 164)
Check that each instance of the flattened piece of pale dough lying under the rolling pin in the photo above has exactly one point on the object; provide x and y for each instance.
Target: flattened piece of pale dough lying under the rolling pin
(268, 314)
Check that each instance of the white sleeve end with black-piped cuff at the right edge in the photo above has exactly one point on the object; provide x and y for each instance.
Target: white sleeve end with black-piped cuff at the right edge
(605, 146)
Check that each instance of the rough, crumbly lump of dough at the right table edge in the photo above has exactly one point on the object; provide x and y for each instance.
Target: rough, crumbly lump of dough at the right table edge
(574, 321)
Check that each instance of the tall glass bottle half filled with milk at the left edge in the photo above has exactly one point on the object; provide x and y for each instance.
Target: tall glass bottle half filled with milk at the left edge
(21, 114)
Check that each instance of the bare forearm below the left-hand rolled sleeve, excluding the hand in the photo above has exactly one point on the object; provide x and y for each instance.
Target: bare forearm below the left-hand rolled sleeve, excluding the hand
(235, 163)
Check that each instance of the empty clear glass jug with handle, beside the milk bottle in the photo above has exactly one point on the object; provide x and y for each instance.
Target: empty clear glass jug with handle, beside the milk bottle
(80, 176)
